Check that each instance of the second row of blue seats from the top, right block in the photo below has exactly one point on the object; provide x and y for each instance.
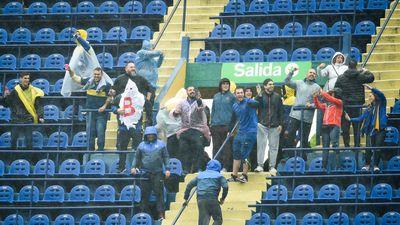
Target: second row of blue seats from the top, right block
(318, 28)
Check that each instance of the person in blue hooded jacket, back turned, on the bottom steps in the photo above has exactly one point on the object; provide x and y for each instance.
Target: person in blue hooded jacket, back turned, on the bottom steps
(209, 183)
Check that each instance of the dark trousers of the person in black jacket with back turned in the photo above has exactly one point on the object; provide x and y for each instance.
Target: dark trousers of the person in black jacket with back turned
(353, 113)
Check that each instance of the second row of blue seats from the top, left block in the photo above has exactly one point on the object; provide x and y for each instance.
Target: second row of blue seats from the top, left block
(47, 35)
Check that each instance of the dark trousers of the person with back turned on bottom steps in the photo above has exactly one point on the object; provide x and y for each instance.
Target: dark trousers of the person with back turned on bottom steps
(209, 208)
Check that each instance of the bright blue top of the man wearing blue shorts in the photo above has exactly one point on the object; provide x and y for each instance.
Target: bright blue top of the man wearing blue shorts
(246, 112)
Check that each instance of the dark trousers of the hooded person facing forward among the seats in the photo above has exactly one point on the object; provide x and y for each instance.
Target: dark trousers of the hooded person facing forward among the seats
(154, 183)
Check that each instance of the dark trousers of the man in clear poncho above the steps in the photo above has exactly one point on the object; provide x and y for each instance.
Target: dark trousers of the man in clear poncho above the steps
(191, 148)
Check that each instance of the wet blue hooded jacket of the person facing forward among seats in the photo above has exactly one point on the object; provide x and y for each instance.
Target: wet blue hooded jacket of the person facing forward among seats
(151, 156)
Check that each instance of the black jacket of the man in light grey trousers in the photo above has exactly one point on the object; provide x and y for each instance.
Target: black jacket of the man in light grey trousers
(270, 109)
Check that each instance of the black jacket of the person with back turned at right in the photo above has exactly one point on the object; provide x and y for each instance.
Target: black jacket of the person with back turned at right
(351, 82)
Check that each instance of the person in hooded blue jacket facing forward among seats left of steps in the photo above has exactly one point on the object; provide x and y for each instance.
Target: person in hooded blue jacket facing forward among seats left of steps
(152, 159)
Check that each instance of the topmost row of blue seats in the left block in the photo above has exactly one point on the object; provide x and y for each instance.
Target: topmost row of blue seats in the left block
(86, 7)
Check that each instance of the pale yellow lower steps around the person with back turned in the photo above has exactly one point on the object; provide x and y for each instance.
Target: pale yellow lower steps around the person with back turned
(235, 210)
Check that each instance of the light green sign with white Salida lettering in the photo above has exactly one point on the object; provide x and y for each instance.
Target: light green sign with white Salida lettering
(259, 71)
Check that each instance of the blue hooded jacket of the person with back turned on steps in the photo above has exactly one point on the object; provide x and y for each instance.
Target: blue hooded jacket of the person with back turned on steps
(209, 183)
